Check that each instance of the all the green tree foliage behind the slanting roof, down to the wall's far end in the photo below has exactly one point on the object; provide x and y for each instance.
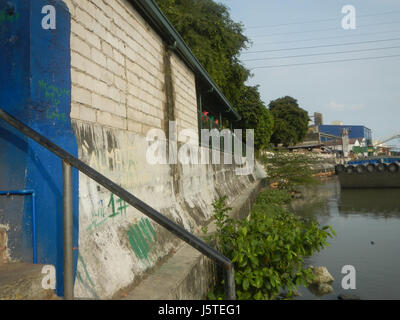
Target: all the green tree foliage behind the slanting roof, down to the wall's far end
(216, 41)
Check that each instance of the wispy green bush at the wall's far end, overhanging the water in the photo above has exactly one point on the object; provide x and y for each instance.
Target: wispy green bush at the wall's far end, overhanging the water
(289, 170)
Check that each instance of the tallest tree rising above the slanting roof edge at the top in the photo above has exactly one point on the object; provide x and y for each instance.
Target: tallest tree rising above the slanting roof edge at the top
(215, 39)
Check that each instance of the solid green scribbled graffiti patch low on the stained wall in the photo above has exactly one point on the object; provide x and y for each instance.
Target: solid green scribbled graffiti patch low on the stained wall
(141, 236)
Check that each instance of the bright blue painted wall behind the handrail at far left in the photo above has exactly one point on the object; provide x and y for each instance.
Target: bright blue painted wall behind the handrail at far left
(35, 87)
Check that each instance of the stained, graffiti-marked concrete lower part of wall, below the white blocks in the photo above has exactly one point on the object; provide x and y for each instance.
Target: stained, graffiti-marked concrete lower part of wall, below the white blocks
(116, 242)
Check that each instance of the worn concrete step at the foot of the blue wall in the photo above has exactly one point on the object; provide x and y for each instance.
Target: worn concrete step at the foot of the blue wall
(23, 281)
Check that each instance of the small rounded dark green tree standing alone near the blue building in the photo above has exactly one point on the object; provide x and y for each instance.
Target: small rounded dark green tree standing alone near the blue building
(290, 121)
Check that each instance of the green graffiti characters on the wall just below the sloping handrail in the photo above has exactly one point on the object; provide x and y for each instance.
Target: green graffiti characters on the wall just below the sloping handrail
(114, 208)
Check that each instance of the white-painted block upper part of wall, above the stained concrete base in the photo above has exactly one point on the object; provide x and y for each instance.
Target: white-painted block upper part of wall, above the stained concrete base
(118, 69)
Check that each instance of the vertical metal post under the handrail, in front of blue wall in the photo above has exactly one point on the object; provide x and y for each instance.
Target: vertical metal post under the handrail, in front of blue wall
(68, 232)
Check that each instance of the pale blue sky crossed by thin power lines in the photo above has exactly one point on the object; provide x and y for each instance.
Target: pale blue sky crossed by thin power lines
(357, 92)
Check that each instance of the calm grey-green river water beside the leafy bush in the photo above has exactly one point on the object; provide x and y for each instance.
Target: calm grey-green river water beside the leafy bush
(367, 224)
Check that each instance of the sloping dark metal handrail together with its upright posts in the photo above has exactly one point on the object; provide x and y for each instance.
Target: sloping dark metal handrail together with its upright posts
(70, 161)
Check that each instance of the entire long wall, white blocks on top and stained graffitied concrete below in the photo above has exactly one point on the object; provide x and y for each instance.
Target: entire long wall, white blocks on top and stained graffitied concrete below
(120, 70)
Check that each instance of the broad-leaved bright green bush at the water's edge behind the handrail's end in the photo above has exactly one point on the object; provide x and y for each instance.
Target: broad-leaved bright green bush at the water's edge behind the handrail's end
(268, 248)
